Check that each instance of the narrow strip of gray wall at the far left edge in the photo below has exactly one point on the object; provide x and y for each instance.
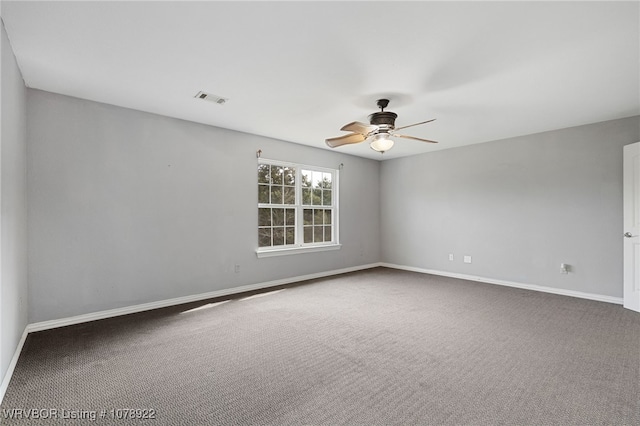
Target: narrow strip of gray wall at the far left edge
(13, 210)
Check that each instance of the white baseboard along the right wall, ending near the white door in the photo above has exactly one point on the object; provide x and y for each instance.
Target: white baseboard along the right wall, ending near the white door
(572, 293)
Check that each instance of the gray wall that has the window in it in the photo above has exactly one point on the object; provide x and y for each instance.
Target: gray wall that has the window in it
(127, 207)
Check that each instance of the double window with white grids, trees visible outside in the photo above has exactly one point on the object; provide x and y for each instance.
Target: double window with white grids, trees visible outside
(297, 208)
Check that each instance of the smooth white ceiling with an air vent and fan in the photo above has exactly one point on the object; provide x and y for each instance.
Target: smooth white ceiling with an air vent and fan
(298, 71)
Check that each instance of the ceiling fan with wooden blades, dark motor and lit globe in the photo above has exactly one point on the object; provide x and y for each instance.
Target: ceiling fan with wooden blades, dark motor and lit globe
(378, 132)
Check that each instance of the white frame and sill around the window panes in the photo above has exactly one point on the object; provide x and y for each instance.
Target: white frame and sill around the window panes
(300, 246)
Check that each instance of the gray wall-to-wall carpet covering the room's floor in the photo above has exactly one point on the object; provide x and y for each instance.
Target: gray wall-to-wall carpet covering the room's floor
(376, 347)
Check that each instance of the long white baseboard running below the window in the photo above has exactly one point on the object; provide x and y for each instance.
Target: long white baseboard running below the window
(46, 325)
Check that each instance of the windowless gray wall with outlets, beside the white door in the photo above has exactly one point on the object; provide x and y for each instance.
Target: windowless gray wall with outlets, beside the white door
(519, 207)
